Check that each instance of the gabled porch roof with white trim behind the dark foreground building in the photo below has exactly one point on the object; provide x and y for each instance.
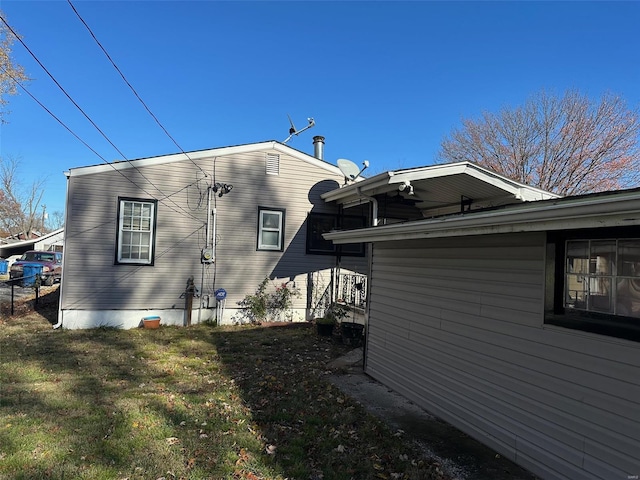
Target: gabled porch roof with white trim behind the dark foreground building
(438, 189)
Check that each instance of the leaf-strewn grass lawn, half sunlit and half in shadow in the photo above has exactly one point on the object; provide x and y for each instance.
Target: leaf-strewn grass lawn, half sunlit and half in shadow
(184, 403)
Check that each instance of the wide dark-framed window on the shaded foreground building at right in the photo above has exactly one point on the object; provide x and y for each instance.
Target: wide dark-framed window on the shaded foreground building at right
(597, 284)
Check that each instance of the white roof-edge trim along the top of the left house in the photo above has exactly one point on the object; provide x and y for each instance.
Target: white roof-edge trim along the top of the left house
(271, 145)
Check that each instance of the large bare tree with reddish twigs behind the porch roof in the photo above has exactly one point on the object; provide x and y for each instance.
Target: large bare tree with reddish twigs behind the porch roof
(568, 145)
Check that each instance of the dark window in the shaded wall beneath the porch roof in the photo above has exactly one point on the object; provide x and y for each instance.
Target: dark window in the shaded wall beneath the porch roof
(320, 223)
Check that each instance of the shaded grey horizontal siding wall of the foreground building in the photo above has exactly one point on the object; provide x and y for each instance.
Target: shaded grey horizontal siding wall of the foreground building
(456, 325)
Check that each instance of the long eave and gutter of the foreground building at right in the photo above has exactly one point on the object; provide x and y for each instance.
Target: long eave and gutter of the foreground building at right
(606, 209)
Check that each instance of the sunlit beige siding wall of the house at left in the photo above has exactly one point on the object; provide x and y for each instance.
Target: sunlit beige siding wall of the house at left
(97, 292)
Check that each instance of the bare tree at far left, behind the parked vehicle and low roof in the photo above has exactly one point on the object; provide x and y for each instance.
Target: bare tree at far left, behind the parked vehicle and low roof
(18, 204)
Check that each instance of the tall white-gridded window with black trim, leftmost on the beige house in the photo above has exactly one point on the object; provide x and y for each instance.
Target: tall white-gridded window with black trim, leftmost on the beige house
(136, 231)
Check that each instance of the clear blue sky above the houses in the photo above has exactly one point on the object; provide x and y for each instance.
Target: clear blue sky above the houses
(384, 81)
